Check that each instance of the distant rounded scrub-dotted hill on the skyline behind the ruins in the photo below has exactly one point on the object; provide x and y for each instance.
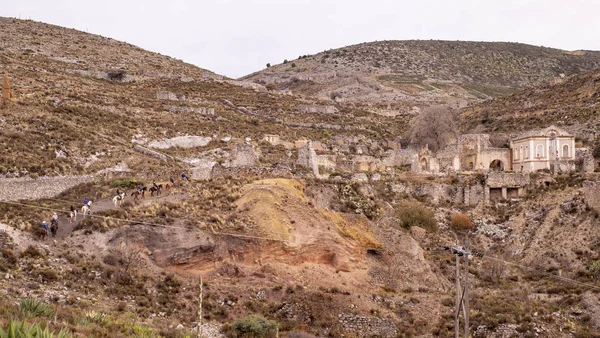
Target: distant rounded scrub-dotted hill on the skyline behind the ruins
(395, 75)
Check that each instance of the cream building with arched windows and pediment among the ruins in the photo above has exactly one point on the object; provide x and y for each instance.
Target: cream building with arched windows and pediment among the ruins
(543, 149)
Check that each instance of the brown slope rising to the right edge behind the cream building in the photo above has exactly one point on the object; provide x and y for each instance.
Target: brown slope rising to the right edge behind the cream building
(572, 104)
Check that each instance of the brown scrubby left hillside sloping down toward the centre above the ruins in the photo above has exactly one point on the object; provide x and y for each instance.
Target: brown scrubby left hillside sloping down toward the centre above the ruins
(83, 101)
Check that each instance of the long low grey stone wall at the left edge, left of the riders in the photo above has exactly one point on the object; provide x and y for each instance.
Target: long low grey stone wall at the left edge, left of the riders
(14, 189)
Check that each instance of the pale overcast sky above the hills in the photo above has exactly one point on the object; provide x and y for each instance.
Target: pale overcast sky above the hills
(238, 37)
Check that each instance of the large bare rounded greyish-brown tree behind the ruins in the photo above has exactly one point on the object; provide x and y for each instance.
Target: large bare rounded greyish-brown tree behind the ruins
(435, 126)
